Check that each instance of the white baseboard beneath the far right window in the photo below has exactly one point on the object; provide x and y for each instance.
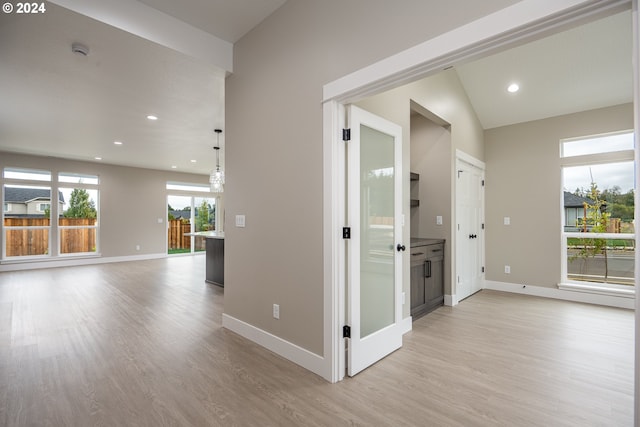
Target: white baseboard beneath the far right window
(563, 294)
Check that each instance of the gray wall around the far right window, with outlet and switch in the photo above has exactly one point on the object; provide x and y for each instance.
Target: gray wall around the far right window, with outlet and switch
(523, 183)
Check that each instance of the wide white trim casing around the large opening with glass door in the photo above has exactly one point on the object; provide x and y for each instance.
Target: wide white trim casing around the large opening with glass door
(519, 23)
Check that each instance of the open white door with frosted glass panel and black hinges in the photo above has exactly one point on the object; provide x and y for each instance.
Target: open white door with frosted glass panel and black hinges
(374, 251)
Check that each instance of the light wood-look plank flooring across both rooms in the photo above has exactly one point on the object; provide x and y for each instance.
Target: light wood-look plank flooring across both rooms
(141, 344)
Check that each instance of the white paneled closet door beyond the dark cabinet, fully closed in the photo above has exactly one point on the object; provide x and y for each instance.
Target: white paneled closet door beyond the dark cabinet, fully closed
(470, 230)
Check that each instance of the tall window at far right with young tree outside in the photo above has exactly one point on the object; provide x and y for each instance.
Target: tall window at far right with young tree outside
(598, 176)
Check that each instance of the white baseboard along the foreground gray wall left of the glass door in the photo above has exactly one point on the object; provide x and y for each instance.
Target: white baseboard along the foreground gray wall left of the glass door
(289, 351)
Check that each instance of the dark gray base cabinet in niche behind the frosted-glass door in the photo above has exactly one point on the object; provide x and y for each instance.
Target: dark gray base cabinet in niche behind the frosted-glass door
(427, 276)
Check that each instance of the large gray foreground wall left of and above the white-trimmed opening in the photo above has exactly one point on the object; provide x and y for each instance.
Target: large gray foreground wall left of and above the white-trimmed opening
(274, 144)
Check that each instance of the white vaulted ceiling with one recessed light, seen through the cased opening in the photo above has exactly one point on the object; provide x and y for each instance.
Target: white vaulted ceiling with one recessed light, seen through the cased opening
(581, 69)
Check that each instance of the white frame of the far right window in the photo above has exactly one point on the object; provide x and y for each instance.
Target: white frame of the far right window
(620, 156)
